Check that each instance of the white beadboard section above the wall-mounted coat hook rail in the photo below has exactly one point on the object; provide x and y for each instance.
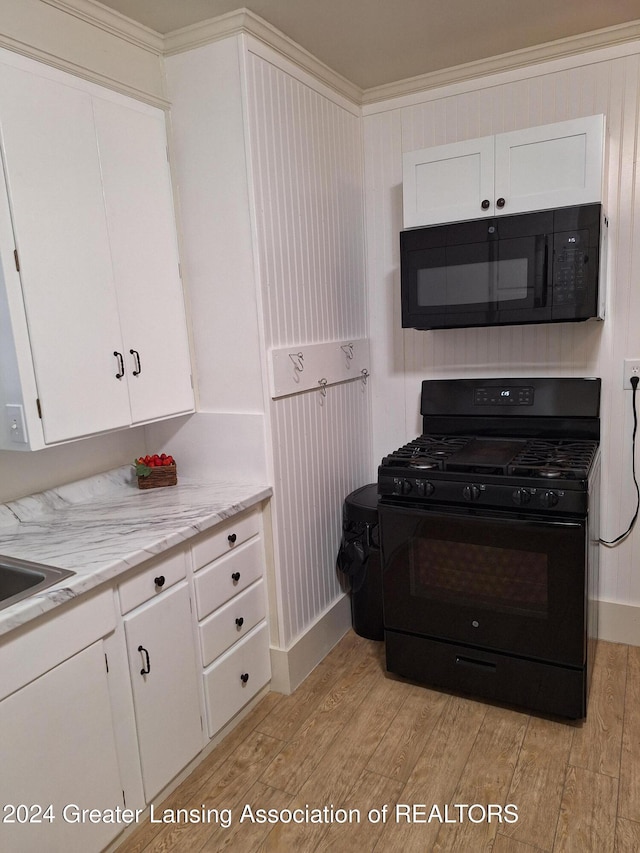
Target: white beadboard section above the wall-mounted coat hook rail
(307, 162)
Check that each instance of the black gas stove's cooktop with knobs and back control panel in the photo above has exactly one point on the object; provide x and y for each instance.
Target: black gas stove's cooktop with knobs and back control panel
(524, 445)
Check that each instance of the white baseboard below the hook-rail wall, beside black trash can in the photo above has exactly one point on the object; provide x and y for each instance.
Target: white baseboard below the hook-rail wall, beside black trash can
(289, 667)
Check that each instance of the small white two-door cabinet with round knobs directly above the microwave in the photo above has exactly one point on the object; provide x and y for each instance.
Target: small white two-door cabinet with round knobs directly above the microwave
(555, 165)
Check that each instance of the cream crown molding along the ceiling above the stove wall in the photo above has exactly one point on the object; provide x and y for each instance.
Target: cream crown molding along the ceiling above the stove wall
(559, 49)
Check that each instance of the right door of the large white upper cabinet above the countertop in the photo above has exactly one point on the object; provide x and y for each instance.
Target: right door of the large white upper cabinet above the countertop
(138, 197)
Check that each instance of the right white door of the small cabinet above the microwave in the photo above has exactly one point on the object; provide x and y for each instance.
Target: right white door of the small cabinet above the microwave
(554, 165)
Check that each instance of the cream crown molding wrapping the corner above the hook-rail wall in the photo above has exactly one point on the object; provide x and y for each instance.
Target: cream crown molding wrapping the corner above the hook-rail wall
(245, 21)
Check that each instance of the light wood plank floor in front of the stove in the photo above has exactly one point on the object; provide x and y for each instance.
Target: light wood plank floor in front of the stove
(353, 737)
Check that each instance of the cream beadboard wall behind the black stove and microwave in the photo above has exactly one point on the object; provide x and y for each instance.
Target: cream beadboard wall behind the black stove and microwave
(402, 358)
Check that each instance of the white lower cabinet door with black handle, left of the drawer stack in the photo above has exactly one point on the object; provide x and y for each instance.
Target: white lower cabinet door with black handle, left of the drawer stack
(164, 677)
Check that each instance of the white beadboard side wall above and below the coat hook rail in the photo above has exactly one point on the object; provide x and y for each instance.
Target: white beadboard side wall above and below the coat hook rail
(306, 162)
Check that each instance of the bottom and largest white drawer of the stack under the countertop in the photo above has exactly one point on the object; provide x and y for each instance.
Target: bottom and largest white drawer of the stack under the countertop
(236, 677)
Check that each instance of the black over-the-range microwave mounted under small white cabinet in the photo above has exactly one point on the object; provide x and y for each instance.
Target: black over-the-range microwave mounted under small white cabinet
(538, 267)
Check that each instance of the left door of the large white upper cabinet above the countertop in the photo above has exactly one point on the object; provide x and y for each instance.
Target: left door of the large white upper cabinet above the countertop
(55, 196)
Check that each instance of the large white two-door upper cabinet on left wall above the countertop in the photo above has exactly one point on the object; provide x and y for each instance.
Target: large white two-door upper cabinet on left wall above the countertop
(94, 299)
